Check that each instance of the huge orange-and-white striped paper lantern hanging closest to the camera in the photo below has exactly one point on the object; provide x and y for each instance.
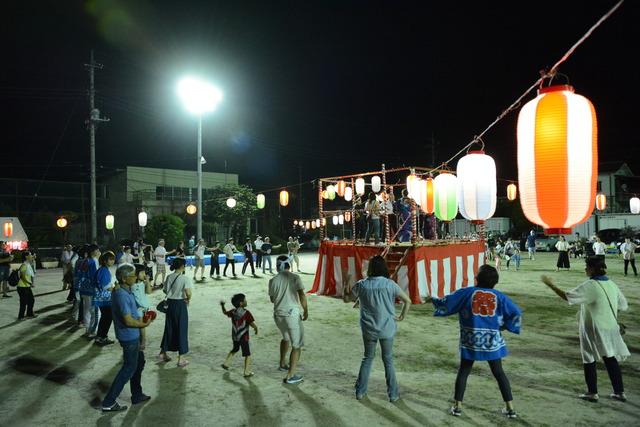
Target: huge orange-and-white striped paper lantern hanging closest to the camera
(557, 159)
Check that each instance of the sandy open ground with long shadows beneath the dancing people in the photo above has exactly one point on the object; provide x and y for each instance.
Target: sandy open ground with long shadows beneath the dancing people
(53, 376)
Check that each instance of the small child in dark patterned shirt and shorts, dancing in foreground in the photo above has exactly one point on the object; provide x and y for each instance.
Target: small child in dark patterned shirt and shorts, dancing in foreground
(241, 319)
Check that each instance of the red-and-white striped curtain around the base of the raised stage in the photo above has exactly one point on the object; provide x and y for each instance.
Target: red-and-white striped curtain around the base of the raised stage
(425, 269)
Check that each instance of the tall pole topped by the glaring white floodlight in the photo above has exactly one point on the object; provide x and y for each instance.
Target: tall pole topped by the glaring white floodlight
(199, 97)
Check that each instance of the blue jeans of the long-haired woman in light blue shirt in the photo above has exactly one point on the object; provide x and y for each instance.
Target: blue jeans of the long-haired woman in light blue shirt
(386, 346)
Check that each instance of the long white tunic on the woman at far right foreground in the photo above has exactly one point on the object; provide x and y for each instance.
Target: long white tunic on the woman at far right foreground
(599, 331)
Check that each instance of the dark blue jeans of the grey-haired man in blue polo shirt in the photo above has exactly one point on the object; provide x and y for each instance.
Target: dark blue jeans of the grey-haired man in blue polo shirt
(132, 367)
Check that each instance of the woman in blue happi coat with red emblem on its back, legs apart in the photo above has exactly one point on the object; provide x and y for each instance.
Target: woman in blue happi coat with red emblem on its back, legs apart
(483, 312)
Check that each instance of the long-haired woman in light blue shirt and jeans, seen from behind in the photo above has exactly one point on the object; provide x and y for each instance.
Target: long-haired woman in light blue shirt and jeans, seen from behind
(377, 295)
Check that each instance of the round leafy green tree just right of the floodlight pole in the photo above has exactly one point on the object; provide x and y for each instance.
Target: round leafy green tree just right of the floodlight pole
(234, 219)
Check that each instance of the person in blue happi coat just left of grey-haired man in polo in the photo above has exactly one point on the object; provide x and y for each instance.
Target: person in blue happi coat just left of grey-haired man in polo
(104, 284)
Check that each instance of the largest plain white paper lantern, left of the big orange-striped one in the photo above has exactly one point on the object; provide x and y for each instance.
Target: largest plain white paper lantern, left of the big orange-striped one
(477, 186)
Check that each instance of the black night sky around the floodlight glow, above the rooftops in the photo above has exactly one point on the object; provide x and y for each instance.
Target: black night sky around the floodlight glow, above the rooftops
(333, 87)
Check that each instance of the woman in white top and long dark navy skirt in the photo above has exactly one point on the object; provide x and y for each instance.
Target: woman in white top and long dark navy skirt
(178, 288)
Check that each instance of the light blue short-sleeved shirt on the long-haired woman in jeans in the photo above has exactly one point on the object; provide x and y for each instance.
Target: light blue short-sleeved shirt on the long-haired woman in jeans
(377, 296)
